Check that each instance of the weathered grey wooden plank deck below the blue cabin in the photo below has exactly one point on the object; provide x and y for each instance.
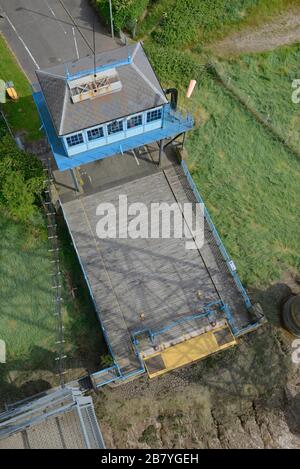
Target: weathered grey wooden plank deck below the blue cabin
(148, 293)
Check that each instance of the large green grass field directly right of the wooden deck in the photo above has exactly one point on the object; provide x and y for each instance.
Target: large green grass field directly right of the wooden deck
(250, 183)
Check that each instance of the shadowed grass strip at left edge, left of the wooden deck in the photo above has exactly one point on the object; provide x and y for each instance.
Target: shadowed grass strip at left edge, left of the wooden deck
(27, 322)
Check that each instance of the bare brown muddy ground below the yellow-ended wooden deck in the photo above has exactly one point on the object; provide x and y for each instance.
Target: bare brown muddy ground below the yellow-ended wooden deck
(247, 397)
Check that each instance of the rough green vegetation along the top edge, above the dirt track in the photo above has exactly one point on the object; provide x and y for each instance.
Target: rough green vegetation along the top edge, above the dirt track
(197, 23)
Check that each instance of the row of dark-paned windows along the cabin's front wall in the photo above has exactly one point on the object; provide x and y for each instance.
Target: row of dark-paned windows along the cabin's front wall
(114, 127)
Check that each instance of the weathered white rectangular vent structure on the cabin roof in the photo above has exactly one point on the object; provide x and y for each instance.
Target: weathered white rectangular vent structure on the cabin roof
(92, 86)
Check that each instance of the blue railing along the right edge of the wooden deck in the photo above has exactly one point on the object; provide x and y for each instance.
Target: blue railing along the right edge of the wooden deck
(216, 235)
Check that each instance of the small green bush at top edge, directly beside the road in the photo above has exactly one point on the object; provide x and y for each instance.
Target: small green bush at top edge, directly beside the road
(125, 12)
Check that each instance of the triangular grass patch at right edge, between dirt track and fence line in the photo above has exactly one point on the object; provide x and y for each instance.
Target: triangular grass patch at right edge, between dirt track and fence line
(265, 81)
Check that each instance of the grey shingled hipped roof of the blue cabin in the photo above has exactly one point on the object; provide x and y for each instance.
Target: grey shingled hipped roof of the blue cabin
(140, 90)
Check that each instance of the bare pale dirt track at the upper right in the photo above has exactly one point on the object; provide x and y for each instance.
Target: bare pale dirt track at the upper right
(283, 30)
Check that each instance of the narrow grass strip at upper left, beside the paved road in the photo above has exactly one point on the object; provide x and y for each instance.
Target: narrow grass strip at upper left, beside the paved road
(22, 114)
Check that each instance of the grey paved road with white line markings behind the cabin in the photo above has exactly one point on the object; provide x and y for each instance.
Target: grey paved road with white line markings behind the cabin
(41, 33)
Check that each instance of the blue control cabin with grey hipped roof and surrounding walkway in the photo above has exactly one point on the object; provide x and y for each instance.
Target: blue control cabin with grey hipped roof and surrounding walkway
(98, 107)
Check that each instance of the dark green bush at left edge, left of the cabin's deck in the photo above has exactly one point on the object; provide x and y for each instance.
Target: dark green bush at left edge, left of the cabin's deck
(21, 179)
